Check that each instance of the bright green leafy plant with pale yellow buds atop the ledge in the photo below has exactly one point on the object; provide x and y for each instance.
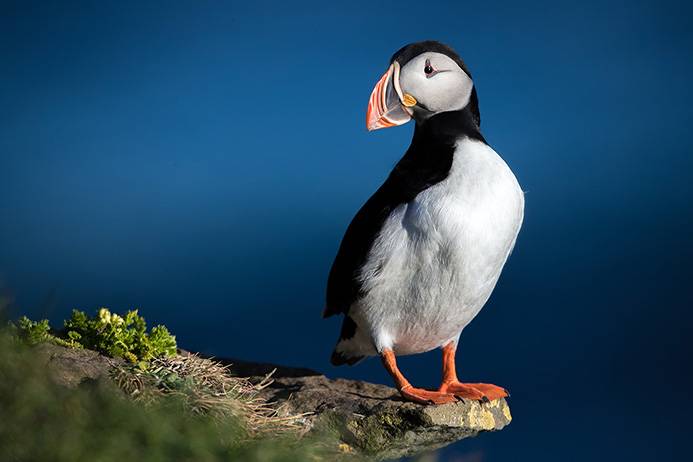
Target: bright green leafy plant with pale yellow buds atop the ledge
(108, 333)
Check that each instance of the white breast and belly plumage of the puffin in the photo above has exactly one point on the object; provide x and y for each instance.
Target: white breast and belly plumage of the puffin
(438, 258)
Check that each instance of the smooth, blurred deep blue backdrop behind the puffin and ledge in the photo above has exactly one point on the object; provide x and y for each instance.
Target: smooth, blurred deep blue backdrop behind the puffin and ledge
(201, 162)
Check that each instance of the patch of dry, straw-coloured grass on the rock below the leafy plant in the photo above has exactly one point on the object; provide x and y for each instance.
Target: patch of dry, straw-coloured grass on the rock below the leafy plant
(207, 388)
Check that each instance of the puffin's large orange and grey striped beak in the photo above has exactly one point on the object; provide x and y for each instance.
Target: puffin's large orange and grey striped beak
(385, 108)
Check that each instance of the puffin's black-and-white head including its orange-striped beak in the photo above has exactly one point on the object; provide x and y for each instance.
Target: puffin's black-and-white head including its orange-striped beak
(424, 79)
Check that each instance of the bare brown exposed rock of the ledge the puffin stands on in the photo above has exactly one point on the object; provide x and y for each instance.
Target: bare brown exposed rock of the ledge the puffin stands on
(370, 419)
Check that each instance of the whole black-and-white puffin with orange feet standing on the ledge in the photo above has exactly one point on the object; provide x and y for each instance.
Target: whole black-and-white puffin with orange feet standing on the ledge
(421, 257)
